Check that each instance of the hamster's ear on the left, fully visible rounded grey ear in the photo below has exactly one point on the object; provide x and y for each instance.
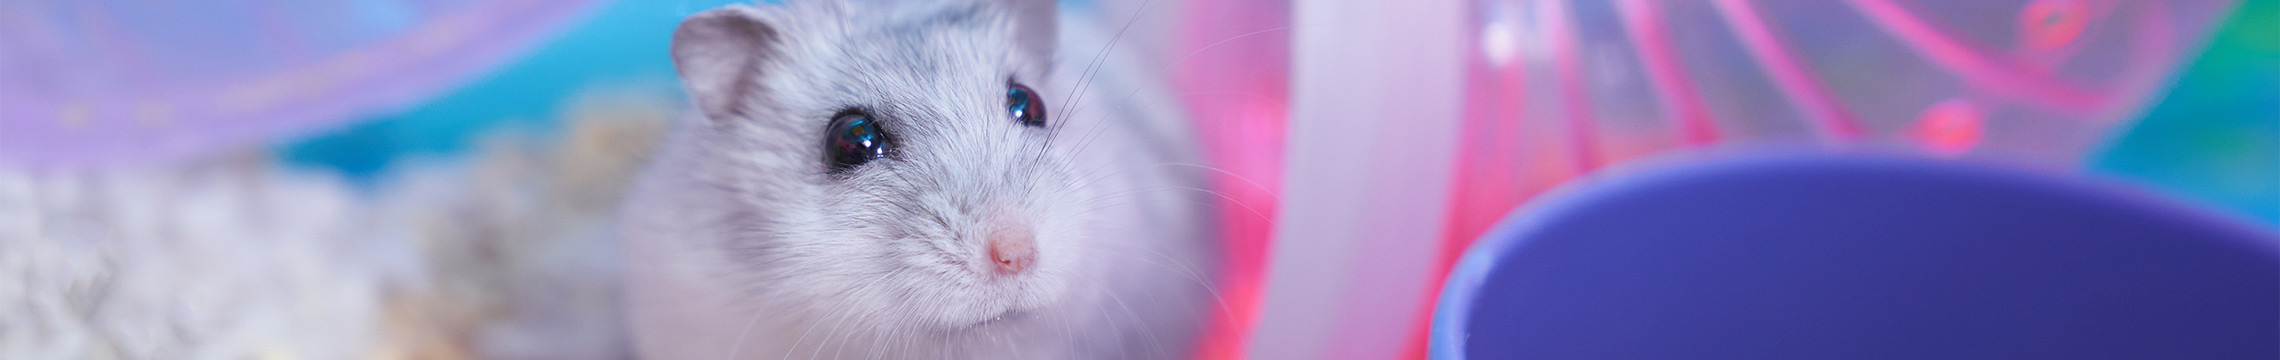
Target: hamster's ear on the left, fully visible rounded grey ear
(719, 56)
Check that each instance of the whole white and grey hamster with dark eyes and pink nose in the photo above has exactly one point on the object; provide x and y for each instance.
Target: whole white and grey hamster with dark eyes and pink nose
(918, 181)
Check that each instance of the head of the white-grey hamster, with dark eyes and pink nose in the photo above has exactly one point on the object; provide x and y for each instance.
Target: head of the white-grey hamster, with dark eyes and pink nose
(886, 161)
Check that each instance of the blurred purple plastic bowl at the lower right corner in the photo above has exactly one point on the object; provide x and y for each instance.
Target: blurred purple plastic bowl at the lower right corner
(1846, 256)
